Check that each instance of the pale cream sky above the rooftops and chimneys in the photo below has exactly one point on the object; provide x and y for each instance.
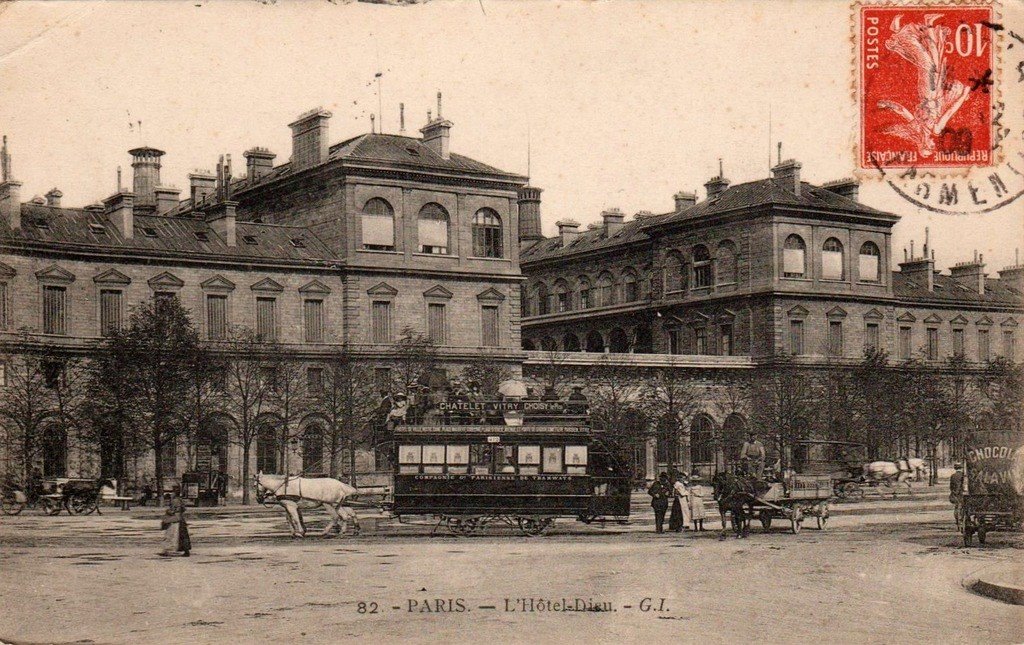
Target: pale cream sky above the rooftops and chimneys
(615, 104)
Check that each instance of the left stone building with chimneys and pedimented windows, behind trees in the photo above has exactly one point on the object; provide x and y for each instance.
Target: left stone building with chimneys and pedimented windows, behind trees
(343, 249)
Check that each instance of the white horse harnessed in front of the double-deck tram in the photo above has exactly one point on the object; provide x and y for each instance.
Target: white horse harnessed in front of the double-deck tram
(289, 492)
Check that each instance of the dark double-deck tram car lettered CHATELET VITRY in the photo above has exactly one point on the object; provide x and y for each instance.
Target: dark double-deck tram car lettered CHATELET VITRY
(553, 465)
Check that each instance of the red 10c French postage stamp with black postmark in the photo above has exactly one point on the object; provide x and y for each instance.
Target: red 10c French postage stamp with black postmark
(926, 79)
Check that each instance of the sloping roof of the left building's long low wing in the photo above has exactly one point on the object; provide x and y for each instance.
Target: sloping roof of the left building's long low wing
(77, 230)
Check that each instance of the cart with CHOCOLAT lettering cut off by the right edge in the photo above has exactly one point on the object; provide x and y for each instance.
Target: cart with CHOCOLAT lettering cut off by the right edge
(994, 485)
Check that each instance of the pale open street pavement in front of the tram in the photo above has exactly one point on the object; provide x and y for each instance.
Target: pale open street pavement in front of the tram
(883, 571)
